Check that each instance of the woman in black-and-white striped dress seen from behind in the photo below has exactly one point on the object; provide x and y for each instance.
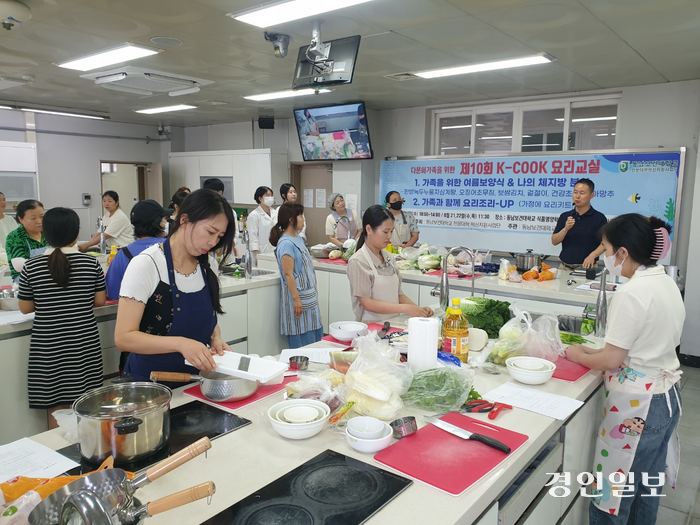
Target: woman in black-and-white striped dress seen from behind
(62, 286)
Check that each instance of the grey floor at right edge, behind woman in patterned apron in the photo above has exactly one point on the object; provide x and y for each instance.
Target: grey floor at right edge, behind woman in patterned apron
(681, 506)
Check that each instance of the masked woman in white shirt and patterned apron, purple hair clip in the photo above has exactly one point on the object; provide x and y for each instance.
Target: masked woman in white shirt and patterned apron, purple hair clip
(637, 444)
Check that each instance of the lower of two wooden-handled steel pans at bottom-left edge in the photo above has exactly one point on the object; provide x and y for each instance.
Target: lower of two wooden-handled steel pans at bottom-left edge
(87, 506)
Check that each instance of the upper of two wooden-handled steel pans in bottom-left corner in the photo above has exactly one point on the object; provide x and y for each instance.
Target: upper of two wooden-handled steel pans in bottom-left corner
(112, 485)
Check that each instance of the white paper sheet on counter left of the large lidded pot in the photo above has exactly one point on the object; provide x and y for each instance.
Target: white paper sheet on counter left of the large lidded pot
(25, 457)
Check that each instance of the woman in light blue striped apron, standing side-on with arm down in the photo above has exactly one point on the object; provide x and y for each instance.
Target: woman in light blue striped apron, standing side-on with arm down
(300, 315)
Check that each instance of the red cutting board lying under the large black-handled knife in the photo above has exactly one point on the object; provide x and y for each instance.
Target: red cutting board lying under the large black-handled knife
(447, 462)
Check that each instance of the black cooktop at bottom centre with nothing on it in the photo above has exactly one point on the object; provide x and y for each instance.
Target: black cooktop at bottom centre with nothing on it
(330, 489)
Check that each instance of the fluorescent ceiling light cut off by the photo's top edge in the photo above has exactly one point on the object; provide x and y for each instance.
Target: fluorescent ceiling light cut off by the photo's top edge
(275, 13)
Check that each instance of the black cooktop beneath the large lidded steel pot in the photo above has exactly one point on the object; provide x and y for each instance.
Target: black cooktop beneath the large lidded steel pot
(188, 423)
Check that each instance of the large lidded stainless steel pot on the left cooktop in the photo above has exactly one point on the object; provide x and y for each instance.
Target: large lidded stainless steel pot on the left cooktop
(129, 421)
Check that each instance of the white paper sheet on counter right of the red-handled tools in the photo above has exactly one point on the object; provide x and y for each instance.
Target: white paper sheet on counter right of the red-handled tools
(550, 405)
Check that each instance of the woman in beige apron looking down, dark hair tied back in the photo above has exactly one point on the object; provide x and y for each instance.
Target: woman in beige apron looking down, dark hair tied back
(375, 282)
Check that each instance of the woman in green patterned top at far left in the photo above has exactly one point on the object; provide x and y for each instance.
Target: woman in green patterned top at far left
(27, 241)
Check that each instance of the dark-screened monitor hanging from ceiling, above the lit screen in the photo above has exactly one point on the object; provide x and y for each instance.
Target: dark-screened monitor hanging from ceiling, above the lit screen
(337, 68)
